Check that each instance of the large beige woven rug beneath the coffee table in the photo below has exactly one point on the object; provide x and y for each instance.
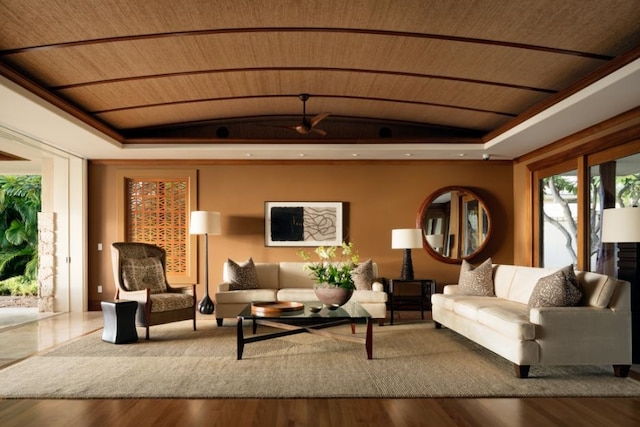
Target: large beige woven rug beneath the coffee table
(410, 360)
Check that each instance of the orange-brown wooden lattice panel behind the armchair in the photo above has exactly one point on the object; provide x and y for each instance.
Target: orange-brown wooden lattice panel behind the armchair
(157, 213)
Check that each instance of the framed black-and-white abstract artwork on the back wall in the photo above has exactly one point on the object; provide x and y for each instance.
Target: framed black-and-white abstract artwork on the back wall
(303, 223)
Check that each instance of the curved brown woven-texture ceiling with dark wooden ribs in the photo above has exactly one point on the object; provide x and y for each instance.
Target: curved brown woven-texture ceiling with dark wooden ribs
(150, 71)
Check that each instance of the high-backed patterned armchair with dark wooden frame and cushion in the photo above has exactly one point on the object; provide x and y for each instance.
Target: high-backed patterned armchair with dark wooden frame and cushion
(139, 272)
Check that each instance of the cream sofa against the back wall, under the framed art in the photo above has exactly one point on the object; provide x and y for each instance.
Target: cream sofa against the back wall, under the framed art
(288, 281)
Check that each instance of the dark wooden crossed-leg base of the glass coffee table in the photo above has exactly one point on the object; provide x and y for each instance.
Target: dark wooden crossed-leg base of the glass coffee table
(293, 329)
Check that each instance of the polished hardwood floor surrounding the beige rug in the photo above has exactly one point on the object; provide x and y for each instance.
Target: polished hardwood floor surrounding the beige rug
(20, 341)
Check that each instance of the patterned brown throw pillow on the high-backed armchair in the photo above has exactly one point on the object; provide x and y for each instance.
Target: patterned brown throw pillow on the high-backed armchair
(143, 273)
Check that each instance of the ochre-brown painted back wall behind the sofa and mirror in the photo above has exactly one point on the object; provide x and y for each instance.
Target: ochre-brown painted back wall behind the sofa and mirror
(380, 196)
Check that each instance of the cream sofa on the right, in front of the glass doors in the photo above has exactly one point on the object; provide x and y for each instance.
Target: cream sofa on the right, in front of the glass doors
(597, 332)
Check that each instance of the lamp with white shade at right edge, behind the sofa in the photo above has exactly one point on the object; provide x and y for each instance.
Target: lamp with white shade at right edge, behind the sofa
(622, 225)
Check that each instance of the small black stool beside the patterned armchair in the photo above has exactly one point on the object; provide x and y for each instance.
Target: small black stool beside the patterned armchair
(119, 321)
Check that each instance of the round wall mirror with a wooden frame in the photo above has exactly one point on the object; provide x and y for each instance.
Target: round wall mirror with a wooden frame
(455, 223)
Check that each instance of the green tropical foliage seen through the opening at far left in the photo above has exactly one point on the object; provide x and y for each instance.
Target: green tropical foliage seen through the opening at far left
(19, 206)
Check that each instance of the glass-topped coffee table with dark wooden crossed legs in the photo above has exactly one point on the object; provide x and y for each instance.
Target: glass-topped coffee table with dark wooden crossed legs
(295, 318)
